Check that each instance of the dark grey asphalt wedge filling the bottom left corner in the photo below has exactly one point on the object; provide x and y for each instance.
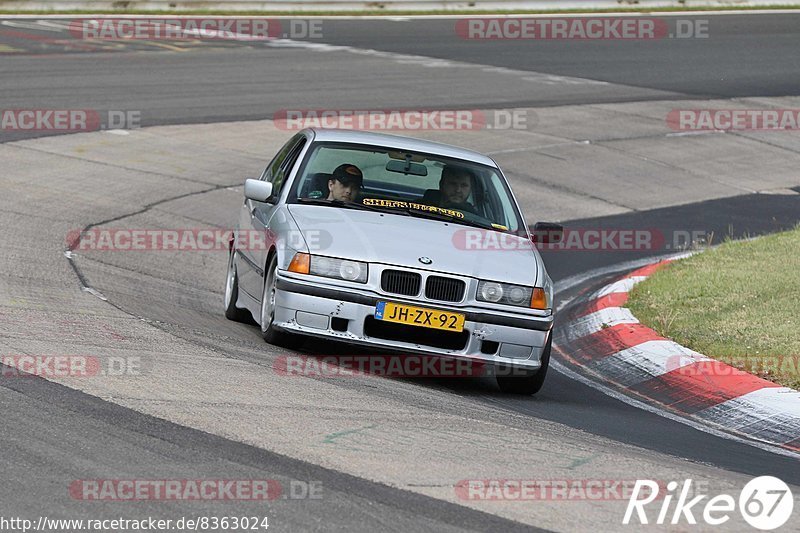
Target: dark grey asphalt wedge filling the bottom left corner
(52, 433)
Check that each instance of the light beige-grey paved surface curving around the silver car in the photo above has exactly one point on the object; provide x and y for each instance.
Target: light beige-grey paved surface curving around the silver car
(163, 309)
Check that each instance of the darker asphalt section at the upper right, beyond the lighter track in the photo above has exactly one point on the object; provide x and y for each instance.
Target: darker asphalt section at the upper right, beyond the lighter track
(765, 49)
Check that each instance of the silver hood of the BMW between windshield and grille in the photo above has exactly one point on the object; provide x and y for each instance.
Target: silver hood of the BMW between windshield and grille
(401, 240)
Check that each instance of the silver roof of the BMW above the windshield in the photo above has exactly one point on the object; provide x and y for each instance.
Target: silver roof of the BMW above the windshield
(401, 143)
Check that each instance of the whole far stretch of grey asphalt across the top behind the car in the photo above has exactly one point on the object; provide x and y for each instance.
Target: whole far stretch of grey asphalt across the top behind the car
(213, 81)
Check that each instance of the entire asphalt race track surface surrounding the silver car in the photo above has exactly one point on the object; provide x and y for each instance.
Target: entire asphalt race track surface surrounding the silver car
(206, 401)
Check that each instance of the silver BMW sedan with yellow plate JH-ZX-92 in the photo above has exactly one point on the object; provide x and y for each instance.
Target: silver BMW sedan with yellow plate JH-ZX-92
(397, 244)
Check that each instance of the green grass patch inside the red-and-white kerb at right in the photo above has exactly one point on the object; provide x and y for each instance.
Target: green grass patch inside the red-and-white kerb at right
(738, 303)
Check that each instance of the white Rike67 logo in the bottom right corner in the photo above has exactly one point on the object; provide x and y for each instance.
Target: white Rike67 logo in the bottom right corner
(766, 503)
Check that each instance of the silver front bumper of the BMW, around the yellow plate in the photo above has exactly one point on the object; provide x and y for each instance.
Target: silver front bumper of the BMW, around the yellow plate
(328, 312)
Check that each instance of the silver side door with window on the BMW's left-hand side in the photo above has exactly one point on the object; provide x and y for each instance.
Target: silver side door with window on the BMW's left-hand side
(255, 216)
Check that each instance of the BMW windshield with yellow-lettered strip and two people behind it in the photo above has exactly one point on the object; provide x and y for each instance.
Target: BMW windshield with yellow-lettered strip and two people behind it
(407, 184)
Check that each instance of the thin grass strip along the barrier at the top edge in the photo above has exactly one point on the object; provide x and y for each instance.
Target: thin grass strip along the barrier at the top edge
(388, 12)
